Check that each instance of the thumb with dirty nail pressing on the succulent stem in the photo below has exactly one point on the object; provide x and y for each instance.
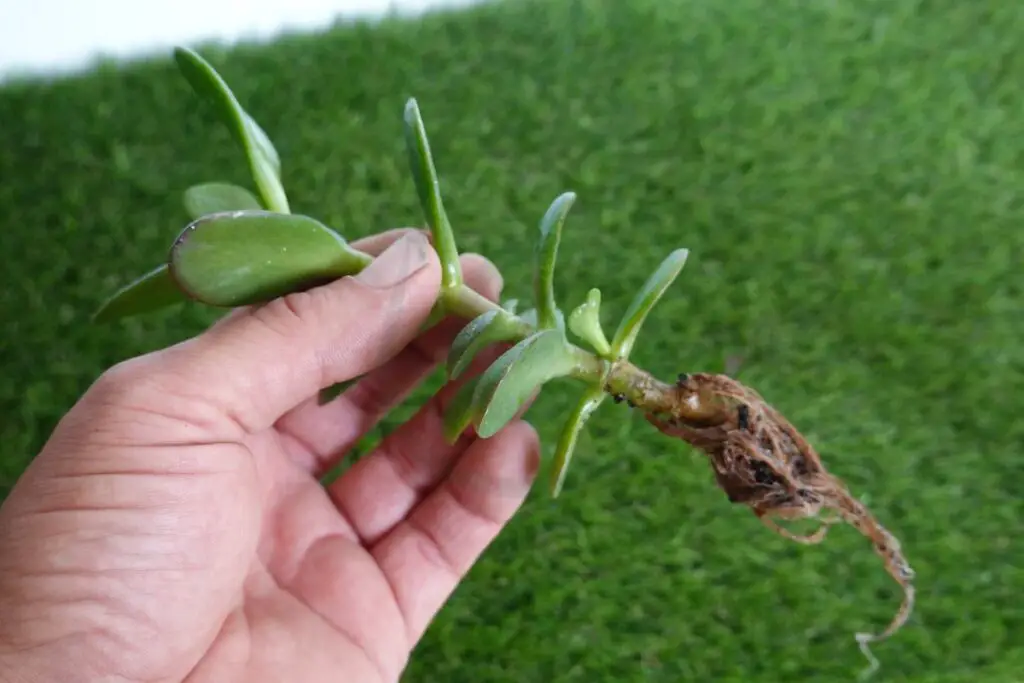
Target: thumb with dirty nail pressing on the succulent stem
(255, 367)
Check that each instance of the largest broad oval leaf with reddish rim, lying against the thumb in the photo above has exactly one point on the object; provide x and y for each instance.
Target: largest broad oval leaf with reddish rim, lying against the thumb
(239, 259)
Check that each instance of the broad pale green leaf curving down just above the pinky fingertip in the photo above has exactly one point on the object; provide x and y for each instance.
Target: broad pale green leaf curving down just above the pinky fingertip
(511, 380)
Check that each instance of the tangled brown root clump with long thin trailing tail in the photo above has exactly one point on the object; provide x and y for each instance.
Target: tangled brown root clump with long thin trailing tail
(760, 460)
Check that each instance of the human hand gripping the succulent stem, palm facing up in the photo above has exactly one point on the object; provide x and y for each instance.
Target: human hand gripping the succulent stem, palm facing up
(175, 527)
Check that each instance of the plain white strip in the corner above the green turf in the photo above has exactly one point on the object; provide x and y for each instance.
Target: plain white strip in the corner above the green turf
(59, 36)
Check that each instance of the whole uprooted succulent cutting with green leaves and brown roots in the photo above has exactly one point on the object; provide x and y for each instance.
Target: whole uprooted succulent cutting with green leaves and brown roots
(243, 248)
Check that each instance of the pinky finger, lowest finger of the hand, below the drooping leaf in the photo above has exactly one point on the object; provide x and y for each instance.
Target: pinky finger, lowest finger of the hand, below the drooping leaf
(426, 556)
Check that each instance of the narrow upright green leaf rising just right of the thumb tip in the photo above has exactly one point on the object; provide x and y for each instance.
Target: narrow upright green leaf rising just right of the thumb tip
(429, 189)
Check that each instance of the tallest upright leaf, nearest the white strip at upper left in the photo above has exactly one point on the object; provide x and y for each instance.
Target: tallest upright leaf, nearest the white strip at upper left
(265, 163)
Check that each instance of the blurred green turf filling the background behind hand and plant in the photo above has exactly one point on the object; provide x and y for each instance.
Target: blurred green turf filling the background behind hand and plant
(849, 178)
